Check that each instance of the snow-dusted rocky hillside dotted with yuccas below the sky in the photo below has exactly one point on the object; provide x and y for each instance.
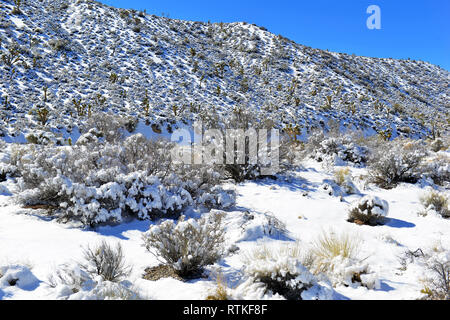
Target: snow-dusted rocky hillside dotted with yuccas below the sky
(62, 60)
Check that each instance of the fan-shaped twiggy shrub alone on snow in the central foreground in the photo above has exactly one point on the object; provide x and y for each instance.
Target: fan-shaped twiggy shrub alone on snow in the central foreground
(187, 245)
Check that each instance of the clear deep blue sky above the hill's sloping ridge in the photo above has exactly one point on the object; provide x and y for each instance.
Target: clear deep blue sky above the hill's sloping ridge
(416, 29)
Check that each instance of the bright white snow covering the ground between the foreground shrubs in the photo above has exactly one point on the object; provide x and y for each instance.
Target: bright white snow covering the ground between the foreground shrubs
(29, 239)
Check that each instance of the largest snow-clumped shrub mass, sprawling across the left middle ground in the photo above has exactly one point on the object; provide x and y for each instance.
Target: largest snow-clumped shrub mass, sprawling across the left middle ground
(97, 181)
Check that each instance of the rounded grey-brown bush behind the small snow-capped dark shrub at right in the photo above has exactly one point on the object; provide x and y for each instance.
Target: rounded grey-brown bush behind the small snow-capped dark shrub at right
(396, 161)
